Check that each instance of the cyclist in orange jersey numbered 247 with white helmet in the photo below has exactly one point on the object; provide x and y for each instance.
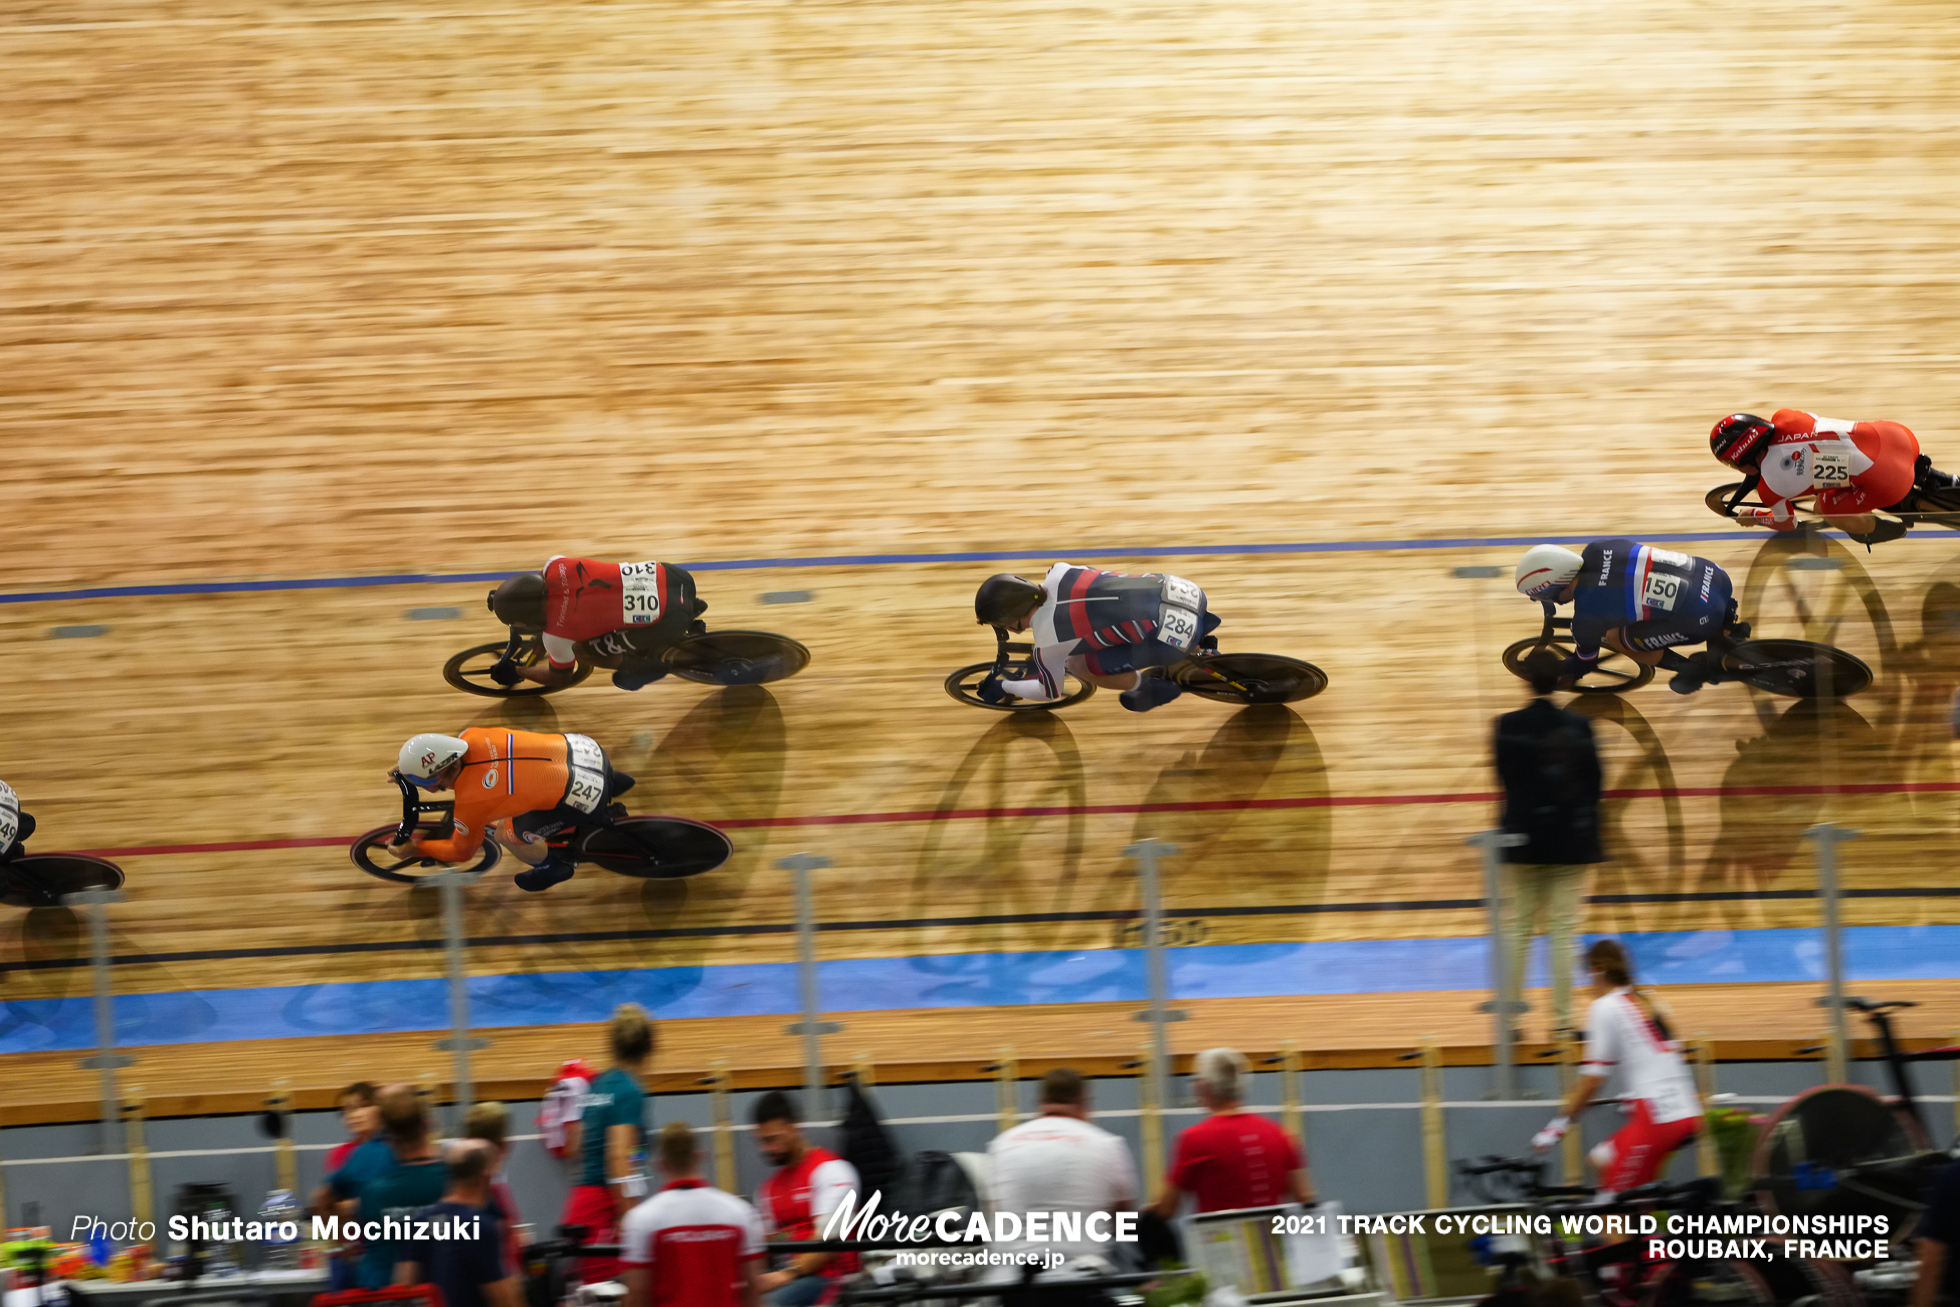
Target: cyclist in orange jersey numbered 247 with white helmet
(534, 793)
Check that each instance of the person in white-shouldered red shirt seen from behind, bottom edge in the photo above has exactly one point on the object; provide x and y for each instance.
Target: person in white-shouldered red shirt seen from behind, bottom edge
(691, 1245)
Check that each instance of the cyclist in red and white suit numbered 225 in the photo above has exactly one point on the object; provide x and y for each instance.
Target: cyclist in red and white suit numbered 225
(1853, 467)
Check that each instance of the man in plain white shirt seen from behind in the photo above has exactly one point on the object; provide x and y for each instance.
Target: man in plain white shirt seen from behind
(1059, 1163)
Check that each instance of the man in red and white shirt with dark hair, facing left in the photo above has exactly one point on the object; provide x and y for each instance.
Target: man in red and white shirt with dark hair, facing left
(807, 1186)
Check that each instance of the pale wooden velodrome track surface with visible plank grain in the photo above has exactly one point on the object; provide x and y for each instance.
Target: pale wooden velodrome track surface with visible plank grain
(354, 289)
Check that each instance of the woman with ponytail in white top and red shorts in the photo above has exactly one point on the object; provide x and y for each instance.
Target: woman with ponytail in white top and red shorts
(1628, 1034)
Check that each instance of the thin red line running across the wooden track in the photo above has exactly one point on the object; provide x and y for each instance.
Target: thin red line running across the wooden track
(1122, 810)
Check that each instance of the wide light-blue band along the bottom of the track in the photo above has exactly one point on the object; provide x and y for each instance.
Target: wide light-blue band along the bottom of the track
(948, 981)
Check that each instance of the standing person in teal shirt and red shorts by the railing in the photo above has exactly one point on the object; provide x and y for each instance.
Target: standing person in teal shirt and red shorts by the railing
(612, 1139)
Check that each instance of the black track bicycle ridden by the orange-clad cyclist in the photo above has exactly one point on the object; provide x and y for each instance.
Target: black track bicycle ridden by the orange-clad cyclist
(644, 847)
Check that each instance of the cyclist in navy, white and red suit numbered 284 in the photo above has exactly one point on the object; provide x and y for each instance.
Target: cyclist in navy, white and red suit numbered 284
(1112, 630)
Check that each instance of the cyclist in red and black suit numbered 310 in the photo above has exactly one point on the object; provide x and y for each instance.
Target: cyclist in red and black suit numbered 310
(626, 614)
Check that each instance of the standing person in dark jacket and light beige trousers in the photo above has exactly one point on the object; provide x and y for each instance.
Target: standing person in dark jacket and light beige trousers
(1551, 797)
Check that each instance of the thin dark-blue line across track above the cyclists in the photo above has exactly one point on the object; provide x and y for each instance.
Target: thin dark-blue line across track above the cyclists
(752, 565)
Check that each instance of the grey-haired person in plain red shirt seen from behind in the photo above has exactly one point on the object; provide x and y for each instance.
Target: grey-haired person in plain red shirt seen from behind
(1232, 1159)
